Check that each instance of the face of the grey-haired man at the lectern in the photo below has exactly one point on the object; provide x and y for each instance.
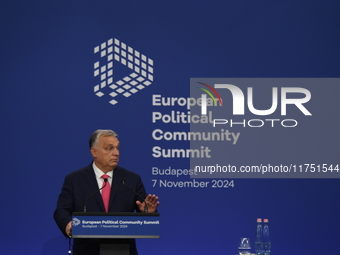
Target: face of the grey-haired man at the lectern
(106, 153)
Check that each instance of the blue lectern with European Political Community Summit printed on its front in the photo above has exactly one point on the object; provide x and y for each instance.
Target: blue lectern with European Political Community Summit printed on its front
(115, 229)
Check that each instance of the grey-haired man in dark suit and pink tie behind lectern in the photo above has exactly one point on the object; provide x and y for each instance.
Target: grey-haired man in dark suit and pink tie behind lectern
(79, 185)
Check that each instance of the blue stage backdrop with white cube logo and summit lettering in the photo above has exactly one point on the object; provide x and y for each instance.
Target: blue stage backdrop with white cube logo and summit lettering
(71, 67)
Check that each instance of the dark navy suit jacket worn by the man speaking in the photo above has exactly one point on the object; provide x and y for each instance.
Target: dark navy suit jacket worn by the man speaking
(79, 185)
